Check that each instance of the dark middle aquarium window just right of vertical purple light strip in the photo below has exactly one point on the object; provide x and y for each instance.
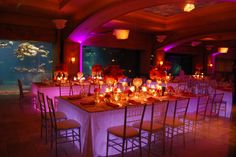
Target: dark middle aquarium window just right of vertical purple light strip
(126, 59)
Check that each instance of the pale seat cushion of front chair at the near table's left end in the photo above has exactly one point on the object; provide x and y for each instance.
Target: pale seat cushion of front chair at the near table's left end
(67, 124)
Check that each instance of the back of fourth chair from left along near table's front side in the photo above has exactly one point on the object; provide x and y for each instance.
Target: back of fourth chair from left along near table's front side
(202, 107)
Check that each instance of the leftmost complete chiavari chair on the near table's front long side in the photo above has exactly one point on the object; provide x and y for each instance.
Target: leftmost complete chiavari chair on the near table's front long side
(118, 137)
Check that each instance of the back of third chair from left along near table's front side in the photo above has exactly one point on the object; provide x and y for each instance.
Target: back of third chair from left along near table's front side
(180, 109)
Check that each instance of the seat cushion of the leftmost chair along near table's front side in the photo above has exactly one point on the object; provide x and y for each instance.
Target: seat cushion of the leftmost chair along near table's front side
(118, 131)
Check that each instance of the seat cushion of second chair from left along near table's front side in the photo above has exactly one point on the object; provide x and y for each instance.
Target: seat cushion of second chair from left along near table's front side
(147, 126)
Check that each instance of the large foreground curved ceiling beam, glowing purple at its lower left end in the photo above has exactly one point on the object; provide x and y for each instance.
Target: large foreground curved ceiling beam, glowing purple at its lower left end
(82, 32)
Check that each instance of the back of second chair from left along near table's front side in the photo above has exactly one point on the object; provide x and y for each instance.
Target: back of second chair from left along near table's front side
(159, 112)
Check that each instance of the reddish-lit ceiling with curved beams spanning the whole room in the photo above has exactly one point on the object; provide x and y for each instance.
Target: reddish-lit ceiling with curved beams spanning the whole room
(211, 22)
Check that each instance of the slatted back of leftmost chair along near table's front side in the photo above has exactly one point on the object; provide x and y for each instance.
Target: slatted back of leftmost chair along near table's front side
(132, 115)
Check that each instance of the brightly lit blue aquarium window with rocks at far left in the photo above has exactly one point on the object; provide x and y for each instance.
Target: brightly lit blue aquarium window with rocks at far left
(29, 61)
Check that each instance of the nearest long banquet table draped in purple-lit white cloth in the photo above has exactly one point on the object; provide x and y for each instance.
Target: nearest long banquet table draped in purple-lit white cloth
(95, 119)
